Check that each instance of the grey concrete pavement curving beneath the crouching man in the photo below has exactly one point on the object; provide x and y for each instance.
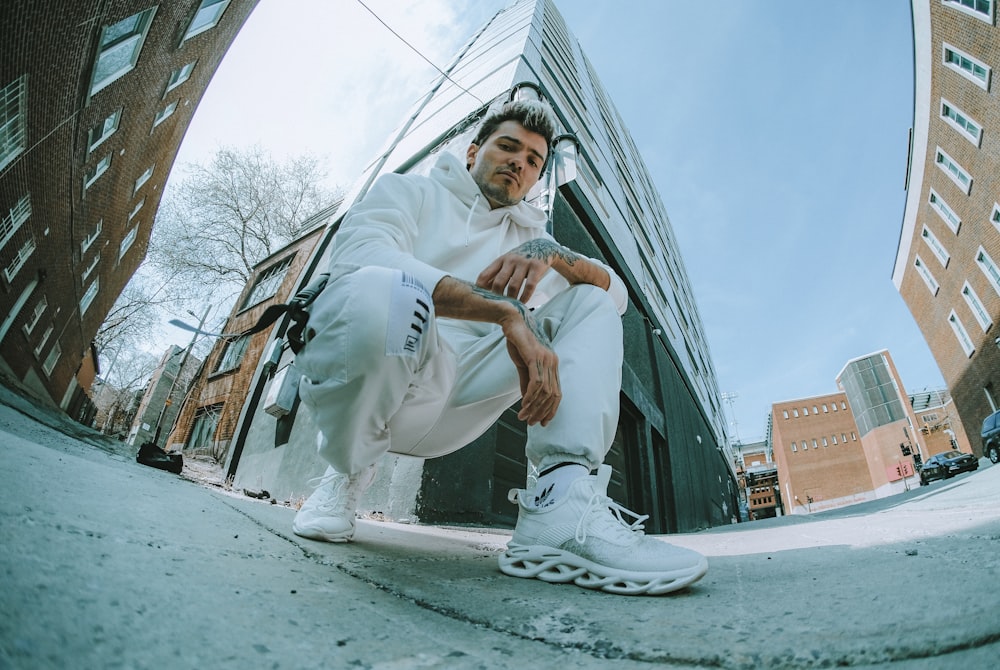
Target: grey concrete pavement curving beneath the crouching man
(107, 563)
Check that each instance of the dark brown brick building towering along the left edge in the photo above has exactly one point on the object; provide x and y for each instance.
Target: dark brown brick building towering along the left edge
(95, 98)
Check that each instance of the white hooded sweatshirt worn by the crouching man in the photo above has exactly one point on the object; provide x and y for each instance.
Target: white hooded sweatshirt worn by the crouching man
(441, 225)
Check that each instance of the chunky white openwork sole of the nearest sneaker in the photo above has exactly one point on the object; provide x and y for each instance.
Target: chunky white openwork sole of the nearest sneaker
(560, 567)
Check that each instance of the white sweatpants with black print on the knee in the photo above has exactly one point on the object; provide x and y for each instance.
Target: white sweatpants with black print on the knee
(381, 373)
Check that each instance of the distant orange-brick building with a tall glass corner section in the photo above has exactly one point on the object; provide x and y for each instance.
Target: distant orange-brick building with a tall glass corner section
(864, 442)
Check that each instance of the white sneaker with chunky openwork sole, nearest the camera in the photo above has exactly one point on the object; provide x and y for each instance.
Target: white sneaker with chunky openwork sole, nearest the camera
(582, 538)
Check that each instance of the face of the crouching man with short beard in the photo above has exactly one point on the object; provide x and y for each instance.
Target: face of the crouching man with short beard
(507, 164)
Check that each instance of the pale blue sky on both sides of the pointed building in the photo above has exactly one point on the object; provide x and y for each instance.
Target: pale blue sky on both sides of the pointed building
(775, 131)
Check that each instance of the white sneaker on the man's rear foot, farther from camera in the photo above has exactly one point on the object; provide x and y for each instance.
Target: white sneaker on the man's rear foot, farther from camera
(328, 514)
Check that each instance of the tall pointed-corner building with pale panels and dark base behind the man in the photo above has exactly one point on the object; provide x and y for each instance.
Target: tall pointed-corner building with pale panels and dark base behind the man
(670, 455)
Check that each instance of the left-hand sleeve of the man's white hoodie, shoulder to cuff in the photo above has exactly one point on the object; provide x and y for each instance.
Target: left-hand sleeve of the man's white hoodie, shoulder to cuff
(381, 229)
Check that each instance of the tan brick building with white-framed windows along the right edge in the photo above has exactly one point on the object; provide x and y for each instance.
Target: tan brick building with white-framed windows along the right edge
(947, 267)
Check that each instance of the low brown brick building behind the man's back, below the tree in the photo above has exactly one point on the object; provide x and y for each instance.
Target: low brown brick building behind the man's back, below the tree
(210, 417)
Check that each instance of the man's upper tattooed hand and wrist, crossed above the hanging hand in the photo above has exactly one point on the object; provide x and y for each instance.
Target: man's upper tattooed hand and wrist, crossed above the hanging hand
(516, 274)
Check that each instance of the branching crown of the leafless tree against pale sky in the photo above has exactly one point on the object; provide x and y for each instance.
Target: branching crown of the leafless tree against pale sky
(226, 216)
